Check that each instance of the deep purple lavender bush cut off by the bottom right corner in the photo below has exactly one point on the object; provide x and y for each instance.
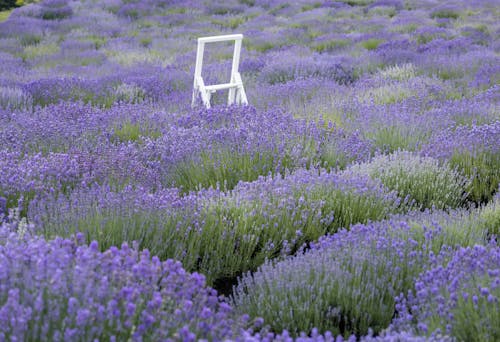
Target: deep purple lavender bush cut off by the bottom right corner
(459, 298)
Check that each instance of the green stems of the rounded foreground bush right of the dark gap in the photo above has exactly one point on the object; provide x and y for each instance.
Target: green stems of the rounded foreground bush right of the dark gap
(315, 292)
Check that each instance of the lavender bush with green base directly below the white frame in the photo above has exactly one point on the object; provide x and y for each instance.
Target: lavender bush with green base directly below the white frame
(235, 144)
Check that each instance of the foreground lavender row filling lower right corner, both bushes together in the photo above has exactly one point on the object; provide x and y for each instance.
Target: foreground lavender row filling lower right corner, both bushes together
(354, 282)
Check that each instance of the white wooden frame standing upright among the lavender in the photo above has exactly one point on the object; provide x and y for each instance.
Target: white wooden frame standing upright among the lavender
(236, 90)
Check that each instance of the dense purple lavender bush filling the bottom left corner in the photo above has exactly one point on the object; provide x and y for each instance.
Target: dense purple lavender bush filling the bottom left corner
(66, 290)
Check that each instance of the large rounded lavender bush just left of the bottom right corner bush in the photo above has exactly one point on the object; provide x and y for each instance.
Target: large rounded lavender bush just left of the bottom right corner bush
(342, 288)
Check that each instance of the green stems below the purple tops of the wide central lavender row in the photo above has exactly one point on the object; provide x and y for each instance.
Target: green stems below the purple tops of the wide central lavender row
(222, 236)
